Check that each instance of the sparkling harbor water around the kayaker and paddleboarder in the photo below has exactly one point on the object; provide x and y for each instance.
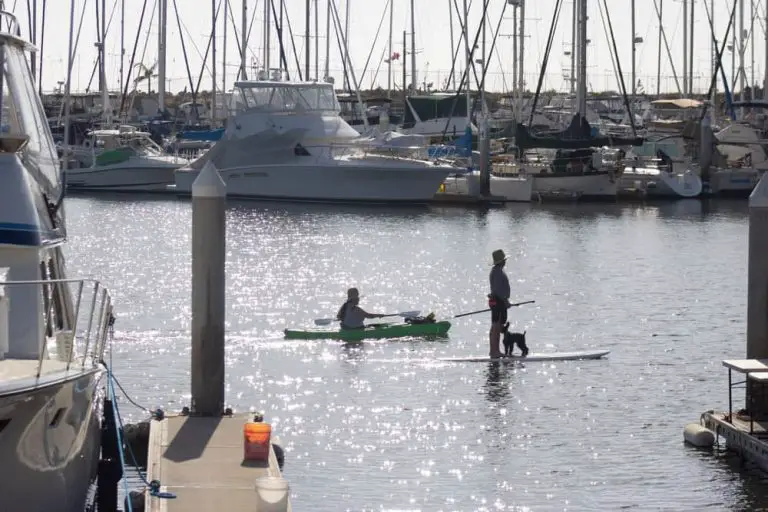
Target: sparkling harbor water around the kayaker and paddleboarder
(384, 426)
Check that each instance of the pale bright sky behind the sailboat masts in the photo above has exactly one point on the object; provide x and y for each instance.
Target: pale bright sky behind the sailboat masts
(432, 36)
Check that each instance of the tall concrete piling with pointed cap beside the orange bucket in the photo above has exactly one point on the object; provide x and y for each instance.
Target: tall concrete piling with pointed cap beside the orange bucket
(208, 291)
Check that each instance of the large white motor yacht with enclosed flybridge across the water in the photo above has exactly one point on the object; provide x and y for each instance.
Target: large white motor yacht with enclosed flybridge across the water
(286, 141)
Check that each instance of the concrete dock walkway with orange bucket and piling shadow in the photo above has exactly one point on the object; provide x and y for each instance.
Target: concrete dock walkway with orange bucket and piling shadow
(200, 460)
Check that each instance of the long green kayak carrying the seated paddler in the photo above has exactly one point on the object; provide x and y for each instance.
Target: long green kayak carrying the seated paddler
(374, 331)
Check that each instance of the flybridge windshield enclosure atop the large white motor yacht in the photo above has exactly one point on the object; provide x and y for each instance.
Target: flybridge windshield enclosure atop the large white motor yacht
(279, 97)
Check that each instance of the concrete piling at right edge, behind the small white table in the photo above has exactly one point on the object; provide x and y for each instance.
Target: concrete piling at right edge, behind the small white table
(757, 289)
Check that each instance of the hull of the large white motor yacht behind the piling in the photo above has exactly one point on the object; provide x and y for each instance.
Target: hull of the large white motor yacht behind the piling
(342, 181)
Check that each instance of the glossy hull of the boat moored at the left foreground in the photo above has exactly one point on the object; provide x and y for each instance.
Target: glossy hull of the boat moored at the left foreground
(50, 443)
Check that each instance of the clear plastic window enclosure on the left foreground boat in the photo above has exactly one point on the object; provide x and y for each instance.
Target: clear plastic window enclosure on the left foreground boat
(22, 113)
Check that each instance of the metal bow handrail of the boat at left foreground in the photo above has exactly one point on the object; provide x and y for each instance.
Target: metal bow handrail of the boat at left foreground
(95, 337)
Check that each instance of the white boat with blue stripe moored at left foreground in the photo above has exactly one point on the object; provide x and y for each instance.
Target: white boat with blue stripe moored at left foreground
(52, 329)
